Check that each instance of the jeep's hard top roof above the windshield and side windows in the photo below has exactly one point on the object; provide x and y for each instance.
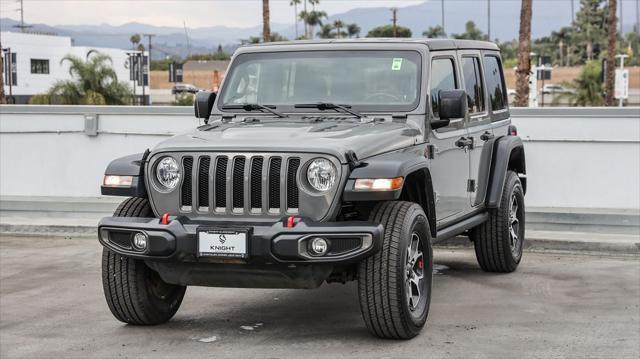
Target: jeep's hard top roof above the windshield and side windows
(432, 44)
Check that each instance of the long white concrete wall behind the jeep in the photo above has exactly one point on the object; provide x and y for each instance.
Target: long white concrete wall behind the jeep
(576, 158)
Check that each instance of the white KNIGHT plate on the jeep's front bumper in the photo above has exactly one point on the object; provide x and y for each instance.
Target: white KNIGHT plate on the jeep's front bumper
(222, 243)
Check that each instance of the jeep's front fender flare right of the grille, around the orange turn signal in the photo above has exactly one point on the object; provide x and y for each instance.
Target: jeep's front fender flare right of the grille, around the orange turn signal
(409, 165)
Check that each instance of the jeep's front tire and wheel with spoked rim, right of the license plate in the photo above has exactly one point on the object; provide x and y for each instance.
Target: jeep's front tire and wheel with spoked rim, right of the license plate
(394, 285)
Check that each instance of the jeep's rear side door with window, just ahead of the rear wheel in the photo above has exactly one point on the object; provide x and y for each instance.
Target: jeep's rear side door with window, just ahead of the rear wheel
(479, 127)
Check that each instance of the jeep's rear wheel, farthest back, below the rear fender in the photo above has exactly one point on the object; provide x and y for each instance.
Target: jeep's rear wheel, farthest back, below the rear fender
(499, 241)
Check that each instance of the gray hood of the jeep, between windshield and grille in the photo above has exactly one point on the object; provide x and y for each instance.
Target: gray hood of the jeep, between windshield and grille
(285, 135)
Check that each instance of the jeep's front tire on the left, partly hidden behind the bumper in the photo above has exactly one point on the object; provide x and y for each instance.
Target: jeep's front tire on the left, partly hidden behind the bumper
(135, 293)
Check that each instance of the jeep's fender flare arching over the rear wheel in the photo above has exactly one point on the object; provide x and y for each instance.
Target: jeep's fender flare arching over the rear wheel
(508, 153)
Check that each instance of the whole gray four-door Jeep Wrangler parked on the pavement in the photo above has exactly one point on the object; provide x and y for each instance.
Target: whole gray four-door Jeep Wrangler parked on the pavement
(323, 161)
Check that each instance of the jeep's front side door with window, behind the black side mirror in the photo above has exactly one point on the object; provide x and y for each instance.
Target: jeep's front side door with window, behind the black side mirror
(449, 167)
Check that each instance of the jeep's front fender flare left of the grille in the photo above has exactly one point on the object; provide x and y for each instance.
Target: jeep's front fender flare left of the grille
(132, 165)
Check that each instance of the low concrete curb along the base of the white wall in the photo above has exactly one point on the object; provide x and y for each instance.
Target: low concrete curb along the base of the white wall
(625, 247)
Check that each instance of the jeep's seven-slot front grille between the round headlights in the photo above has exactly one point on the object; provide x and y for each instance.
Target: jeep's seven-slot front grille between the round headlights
(240, 184)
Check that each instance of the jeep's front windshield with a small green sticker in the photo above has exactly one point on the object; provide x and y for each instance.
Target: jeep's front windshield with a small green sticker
(365, 80)
